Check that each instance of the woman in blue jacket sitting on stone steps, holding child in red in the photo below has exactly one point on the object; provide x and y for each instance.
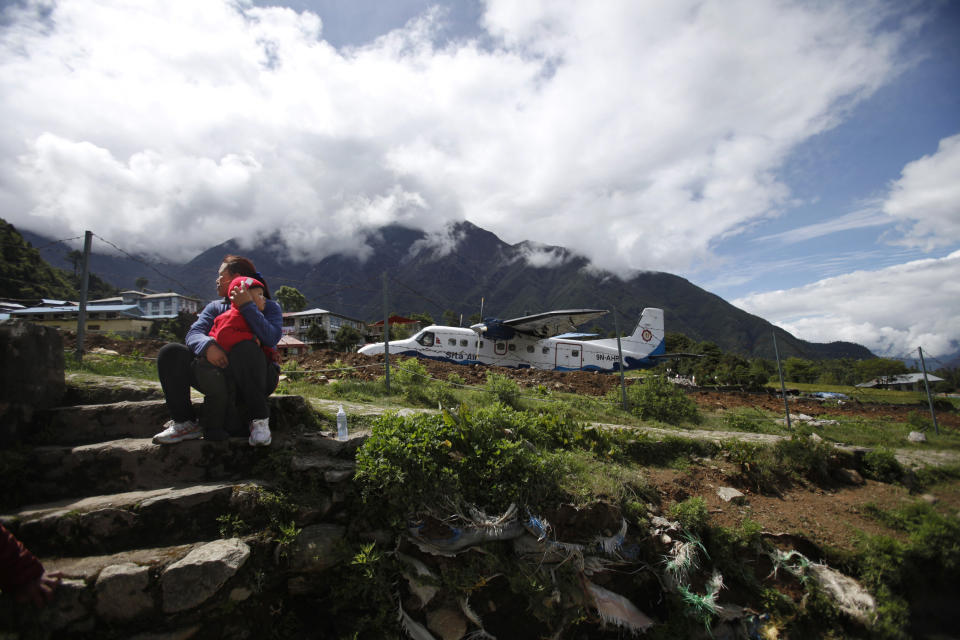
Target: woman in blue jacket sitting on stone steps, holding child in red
(247, 372)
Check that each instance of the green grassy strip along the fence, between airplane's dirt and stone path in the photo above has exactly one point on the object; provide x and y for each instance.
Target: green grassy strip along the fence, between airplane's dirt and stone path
(412, 387)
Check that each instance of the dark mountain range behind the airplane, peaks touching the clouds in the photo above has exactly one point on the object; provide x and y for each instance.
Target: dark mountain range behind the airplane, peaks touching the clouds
(425, 275)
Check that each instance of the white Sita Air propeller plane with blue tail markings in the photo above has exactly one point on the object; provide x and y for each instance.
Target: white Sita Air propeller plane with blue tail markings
(537, 341)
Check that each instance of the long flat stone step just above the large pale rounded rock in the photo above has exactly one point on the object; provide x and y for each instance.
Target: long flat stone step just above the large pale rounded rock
(109, 523)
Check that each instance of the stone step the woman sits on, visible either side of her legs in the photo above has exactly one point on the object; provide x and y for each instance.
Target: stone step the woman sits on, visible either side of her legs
(85, 424)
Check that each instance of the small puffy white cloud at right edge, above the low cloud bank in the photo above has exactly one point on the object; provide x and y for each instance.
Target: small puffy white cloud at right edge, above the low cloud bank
(926, 198)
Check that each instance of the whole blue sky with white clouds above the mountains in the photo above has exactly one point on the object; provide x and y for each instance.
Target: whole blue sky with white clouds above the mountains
(799, 159)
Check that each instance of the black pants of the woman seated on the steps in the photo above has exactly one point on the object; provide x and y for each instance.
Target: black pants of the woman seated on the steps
(249, 378)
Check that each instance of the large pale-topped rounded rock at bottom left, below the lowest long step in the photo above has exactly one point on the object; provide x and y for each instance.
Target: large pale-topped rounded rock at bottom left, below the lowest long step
(196, 577)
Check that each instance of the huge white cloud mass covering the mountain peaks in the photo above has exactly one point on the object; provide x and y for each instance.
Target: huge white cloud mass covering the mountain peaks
(636, 134)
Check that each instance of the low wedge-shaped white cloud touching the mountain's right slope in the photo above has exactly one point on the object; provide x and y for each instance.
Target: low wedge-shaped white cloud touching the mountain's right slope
(891, 311)
